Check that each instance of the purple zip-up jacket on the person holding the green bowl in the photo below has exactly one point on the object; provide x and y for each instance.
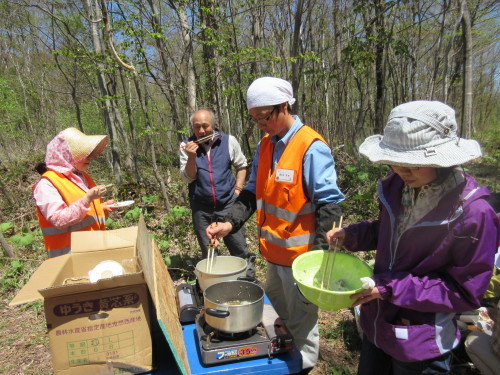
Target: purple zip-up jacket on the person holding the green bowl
(438, 267)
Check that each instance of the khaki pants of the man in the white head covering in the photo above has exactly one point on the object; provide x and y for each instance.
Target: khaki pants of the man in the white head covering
(299, 315)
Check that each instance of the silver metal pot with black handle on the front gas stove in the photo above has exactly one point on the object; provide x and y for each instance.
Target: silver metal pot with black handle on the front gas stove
(233, 306)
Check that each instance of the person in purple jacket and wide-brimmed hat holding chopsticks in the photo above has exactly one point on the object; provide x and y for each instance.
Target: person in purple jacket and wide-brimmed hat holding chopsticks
(436, 237)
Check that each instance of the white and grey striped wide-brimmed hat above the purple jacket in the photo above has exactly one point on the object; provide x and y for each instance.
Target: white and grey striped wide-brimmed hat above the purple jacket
(421, 133)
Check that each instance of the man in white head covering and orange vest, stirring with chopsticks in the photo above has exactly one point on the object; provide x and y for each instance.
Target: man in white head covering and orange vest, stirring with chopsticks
(294, 191)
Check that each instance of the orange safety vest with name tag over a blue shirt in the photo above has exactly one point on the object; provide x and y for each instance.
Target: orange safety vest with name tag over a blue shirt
(285, 215)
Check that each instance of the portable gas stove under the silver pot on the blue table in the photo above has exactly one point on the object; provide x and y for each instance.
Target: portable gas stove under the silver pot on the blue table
(268, 338)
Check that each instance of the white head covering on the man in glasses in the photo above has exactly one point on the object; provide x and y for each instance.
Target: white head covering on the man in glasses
(268, 91)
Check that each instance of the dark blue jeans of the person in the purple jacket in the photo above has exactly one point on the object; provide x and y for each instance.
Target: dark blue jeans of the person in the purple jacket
(375, 361)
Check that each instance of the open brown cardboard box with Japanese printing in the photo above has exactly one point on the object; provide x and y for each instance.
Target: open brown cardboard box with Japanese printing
(101, 327)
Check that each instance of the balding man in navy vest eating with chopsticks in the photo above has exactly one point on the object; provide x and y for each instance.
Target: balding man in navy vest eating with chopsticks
(206, 162)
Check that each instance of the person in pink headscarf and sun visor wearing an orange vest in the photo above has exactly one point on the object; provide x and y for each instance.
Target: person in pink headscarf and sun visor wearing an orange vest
(67, 199)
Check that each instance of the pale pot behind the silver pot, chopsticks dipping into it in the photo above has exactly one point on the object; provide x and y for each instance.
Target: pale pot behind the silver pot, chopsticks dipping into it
(224, 268)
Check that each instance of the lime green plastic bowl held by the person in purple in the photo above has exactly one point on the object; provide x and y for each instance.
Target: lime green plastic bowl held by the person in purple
(308, 270)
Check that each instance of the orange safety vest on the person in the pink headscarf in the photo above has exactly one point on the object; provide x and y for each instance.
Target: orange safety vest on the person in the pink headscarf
(58, 240)
